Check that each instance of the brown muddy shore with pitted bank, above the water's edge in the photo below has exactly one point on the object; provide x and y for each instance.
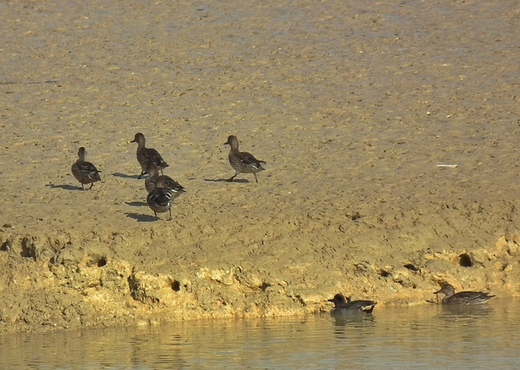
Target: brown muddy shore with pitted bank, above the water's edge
(352, 106)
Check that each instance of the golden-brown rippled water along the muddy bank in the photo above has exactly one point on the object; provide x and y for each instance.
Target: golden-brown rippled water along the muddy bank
(427, 337)
